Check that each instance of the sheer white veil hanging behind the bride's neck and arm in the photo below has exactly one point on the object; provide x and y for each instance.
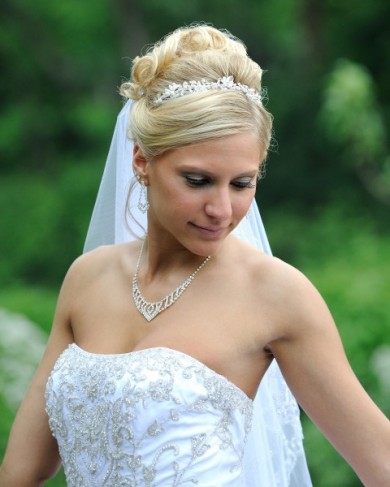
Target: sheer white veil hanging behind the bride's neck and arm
(274, 453)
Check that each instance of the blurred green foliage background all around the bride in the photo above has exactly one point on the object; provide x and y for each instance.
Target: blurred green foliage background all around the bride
(325, 200)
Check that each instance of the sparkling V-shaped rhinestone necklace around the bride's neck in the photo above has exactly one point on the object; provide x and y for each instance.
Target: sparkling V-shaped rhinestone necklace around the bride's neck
(151, 309)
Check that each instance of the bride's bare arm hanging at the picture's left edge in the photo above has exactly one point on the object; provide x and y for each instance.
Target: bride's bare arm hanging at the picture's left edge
(32, 454)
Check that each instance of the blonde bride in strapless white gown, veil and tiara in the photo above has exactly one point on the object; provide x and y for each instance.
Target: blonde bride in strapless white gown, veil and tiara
(169, 354)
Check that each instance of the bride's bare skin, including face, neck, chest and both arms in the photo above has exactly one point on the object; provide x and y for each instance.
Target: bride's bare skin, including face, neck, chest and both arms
(198, 194)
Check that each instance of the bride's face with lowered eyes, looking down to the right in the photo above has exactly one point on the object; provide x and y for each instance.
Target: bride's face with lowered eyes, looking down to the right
(199, 193)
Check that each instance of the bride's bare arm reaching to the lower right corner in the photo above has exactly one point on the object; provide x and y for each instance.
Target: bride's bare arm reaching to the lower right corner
(313, 361)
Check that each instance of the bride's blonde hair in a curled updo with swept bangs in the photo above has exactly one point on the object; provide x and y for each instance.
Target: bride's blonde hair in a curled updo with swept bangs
(190, 54)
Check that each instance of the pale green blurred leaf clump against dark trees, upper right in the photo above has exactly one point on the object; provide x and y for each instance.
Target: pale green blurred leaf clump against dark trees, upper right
(352, 118)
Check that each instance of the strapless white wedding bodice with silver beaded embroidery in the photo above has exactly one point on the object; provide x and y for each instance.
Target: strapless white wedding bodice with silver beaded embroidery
(153, 417)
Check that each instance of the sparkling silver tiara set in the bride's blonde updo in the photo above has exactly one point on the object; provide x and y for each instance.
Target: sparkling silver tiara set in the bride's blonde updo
(175, 90)
